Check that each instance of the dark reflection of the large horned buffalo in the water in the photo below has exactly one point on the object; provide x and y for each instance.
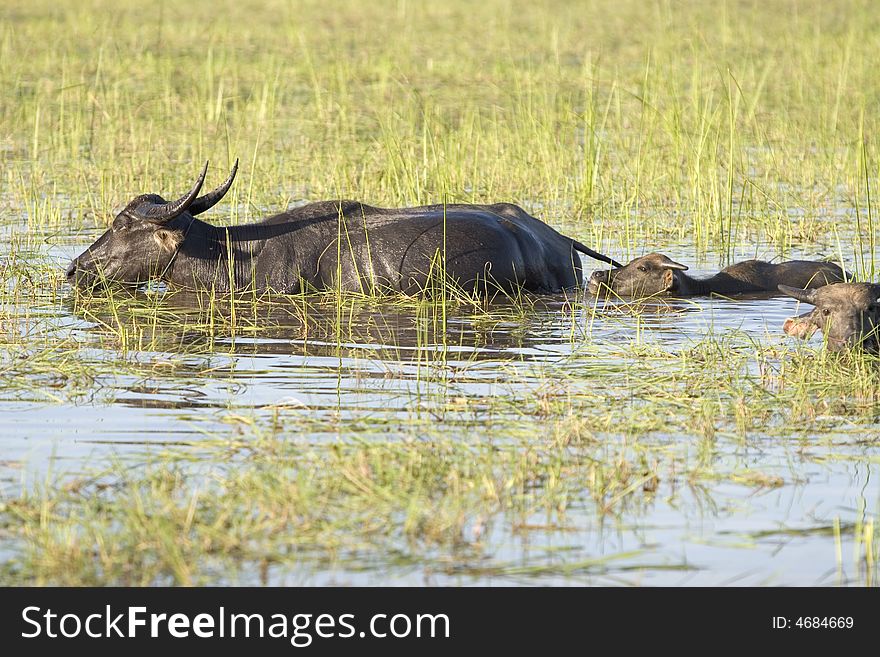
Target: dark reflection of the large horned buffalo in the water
(313, 328)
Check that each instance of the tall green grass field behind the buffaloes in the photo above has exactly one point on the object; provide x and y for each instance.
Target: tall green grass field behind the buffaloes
(632, 123)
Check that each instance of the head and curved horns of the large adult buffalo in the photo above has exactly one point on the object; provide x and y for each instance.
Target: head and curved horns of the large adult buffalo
(144, 237)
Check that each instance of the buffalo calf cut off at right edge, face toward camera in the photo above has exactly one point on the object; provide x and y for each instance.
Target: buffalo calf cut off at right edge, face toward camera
(848, 315)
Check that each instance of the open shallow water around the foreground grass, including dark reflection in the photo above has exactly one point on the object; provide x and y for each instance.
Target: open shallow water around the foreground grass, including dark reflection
(389, 364)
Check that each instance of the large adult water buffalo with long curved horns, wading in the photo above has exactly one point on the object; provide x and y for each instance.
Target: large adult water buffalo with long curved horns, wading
(343, 245)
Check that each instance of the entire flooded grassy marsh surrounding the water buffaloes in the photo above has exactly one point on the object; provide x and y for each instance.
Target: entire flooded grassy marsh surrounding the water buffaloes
(449, 449)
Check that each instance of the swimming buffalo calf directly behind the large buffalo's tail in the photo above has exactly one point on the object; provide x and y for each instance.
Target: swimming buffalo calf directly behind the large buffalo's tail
(655, 273)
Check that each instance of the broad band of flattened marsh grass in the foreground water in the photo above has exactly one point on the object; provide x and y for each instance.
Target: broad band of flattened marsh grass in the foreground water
(268, 499)
